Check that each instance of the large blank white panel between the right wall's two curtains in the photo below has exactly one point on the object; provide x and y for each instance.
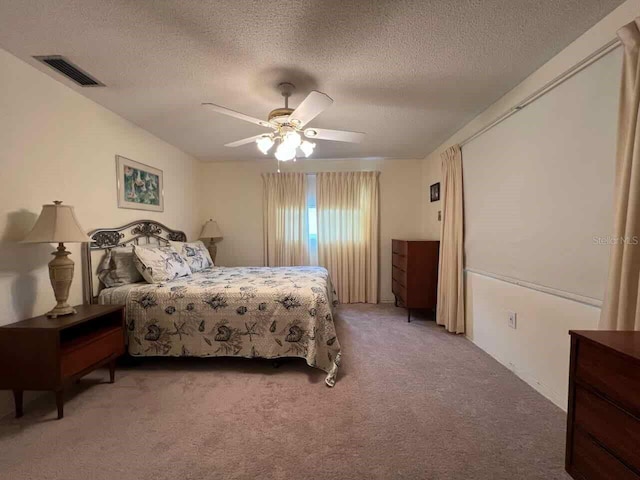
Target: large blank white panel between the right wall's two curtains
(538, 187)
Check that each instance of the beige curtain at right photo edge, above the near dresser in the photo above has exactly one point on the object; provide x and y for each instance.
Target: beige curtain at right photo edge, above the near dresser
(621, 309)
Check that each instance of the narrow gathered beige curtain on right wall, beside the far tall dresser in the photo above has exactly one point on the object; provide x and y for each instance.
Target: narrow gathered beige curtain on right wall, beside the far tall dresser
(450, 307)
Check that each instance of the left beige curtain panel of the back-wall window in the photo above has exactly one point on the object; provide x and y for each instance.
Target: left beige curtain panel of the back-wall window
(285, 219)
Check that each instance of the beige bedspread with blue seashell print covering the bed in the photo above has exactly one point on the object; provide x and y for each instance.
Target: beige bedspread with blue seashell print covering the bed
(266, 312)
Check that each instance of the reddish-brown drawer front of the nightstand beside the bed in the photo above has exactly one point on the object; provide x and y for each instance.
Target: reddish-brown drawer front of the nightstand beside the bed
(84, 352)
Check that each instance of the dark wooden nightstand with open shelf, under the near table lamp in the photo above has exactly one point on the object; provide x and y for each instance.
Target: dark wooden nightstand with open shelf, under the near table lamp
(48, 354)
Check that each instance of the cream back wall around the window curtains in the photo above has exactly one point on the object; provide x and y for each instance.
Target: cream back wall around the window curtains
(231, 194)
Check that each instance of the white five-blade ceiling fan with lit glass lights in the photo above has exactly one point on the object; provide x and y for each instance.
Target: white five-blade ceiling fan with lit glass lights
(288, 126)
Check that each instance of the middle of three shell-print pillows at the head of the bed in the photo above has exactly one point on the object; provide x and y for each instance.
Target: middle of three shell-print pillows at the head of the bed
(159, 264)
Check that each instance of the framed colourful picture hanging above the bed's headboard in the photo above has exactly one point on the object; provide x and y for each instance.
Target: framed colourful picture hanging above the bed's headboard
(139, 186)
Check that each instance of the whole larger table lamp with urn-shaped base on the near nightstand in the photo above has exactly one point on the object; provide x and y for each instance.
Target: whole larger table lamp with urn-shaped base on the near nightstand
(58, 224)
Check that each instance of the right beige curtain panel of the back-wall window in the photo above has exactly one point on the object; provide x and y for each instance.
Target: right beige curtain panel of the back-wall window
(347, 205)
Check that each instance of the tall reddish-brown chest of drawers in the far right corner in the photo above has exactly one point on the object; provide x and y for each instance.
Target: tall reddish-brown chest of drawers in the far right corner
(414, 273)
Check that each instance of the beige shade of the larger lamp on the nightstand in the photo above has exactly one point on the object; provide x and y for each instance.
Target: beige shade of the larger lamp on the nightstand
(57, 223)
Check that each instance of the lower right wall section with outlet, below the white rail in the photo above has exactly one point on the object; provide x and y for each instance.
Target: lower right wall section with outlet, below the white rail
(538, 350)
